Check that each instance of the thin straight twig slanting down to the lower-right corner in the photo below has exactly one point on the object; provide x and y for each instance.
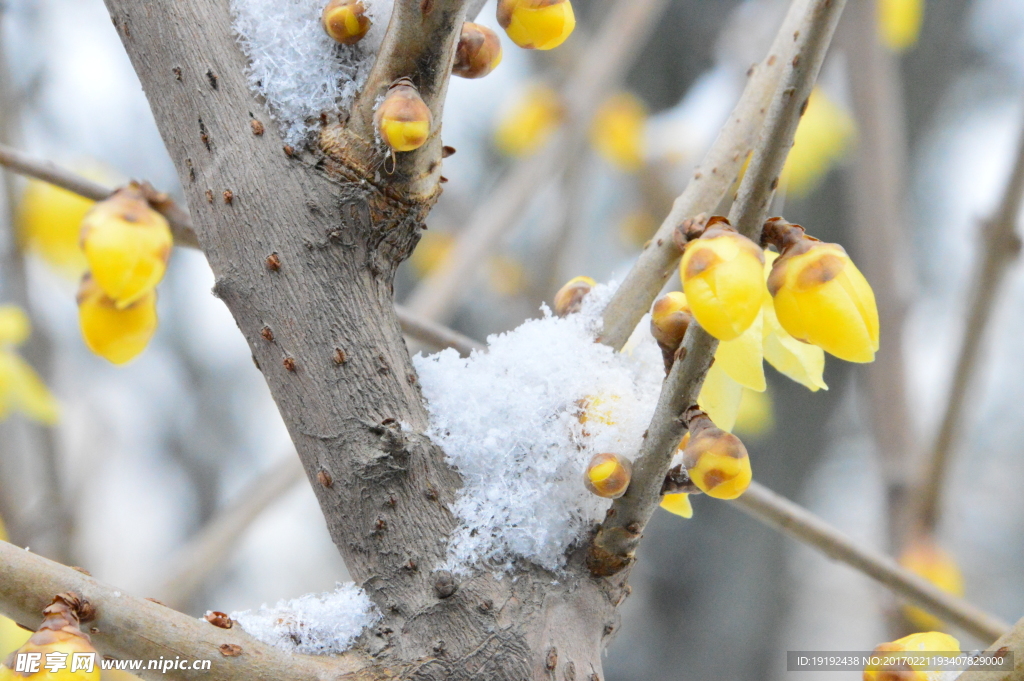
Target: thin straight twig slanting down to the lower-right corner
(793, 520)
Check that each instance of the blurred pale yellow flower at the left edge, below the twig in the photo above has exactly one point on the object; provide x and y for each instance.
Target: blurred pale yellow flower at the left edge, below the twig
(21, 389)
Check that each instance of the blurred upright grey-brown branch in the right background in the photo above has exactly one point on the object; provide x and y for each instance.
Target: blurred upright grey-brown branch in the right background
(878, 199)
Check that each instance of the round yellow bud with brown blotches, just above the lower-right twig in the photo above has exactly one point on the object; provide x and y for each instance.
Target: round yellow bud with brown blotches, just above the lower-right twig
(716, 461)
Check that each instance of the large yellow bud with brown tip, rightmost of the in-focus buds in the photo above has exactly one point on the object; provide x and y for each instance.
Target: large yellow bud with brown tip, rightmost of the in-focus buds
(821, 297)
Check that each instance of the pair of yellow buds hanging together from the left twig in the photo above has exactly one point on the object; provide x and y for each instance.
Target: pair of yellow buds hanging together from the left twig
(127, 245)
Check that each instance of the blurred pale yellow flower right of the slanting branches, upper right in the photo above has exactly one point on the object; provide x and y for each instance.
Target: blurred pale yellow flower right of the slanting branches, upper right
(823, 140)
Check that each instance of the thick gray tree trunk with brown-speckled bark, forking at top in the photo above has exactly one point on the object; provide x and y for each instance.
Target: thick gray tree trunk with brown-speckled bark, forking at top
(305, 254)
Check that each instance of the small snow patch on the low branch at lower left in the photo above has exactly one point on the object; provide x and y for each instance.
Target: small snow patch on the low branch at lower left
(315, 624)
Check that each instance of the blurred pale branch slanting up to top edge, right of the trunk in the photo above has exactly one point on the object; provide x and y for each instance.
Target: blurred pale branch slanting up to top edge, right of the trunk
(600, 69)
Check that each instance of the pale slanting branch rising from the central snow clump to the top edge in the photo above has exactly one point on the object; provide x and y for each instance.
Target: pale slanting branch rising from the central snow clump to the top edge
(711, 181)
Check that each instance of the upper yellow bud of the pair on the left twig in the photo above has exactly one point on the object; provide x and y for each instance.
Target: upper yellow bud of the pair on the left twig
(127, 245)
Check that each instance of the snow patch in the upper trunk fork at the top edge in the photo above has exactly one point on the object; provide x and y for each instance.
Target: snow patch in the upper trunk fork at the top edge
(296, 67)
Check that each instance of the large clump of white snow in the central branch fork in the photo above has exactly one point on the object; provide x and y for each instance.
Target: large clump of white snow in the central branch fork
(522, 421)
